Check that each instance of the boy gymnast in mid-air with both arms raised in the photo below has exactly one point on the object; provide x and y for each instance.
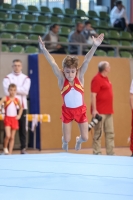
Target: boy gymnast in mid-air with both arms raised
(71, 83)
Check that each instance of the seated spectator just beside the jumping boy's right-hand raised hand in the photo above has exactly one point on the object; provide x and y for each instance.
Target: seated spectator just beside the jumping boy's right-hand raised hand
(88, 32)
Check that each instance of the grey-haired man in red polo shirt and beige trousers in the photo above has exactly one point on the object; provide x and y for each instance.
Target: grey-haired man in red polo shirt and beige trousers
(102, 104)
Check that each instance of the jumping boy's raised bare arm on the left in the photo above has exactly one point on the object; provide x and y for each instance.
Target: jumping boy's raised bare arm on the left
(58, 73)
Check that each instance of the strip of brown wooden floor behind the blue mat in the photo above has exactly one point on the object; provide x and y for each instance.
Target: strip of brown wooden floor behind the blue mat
(118, 151)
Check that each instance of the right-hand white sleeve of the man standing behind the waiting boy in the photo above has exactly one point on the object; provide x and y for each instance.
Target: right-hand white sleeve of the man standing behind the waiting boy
(24, 89)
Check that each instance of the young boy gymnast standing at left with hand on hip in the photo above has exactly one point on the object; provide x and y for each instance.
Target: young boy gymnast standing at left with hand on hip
(11, 118)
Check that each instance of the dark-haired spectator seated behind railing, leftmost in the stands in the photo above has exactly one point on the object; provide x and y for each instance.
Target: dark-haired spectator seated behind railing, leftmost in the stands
(52, 36)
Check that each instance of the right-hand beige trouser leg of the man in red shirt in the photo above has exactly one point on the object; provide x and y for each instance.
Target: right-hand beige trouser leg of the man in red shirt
(109, 134)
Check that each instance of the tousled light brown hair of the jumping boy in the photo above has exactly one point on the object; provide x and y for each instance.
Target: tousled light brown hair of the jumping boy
(70, 62)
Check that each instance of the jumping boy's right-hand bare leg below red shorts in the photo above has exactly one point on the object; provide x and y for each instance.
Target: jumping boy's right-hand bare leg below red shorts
(83, 127)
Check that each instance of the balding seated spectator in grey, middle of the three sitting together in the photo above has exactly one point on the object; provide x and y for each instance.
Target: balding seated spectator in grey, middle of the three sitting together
(77, 36)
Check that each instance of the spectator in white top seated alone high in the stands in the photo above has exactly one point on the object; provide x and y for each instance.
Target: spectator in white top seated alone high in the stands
(119, 18)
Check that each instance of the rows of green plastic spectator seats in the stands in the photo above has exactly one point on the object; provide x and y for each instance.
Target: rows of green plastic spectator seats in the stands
(23, 23)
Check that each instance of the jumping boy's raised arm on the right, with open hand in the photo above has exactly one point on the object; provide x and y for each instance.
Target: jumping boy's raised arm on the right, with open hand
(96, 42)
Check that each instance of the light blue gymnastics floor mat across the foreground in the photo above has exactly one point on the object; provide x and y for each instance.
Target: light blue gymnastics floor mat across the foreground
(66, 176)
